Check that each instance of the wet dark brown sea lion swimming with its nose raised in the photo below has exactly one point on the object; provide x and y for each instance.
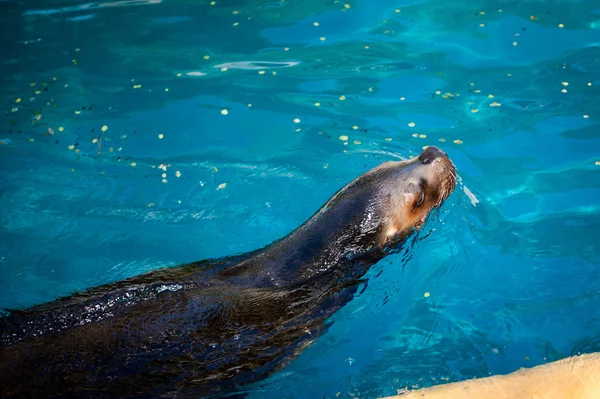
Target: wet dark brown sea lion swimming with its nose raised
(206, 328)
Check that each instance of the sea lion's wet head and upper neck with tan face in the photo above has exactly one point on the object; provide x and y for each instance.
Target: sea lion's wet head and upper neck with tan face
(388, 202)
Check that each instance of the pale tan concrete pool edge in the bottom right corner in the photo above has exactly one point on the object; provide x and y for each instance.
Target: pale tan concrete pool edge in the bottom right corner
(576, 377)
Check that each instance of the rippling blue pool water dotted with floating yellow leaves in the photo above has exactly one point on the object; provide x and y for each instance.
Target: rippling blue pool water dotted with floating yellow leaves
(509, 89)
